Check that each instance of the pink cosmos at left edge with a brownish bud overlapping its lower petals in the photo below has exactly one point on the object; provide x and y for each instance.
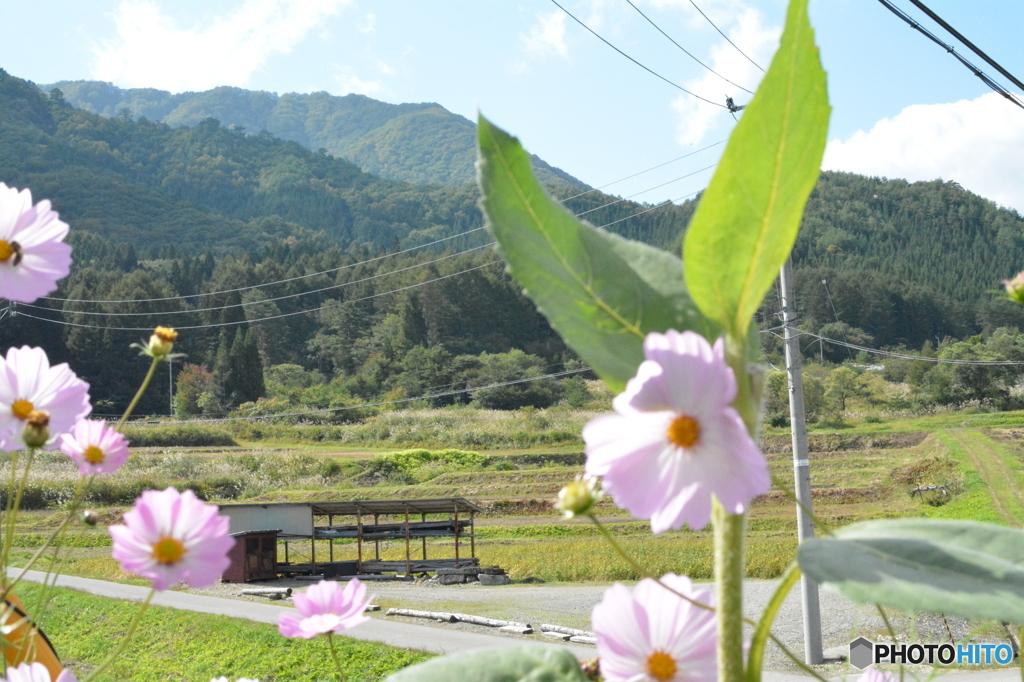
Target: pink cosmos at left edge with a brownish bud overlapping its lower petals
(31, 390)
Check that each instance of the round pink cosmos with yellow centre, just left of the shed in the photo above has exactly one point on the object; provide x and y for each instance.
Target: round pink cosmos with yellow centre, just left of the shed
(170, 537)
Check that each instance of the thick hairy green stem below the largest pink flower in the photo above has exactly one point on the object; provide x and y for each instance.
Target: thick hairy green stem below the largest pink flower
(730, 585)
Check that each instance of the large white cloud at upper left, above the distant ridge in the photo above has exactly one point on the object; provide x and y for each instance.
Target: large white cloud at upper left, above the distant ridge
(152, 51)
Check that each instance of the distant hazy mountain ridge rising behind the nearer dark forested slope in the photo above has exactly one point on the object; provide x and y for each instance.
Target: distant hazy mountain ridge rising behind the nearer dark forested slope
(423, 143)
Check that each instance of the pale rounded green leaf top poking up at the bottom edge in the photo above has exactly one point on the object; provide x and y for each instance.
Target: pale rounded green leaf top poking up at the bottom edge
(526, 664)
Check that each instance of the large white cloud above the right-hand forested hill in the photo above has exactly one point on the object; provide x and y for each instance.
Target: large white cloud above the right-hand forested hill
(976, 143)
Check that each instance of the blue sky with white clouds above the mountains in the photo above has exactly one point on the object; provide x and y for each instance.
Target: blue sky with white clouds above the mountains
(902, 107)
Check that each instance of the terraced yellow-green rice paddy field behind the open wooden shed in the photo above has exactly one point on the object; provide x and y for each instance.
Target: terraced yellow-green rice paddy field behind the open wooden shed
(970, 466)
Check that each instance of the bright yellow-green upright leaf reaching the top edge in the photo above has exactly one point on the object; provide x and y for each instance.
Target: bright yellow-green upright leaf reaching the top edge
(749, 217)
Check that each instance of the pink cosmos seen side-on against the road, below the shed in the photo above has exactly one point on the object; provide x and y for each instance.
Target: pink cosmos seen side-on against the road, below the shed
(326, 609)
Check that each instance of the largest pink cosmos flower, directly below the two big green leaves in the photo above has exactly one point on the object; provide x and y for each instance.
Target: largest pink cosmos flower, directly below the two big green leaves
(675, 441)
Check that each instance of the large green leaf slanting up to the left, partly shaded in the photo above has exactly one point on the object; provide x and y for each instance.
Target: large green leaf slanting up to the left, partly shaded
(601, 292)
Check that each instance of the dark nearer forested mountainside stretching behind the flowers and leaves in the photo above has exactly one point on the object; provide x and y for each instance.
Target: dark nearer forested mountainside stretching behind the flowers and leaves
(187, 226)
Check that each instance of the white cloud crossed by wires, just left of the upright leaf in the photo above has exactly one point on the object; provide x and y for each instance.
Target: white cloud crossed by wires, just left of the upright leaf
(696, 119)
